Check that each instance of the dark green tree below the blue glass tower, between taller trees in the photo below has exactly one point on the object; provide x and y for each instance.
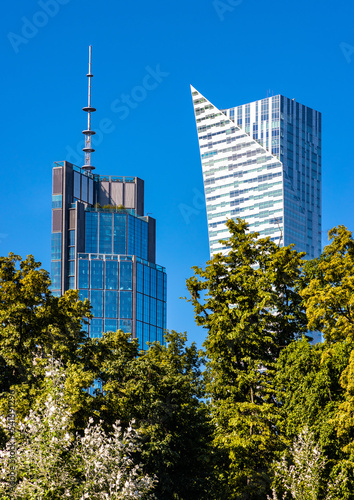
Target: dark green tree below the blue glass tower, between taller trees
(161, 390)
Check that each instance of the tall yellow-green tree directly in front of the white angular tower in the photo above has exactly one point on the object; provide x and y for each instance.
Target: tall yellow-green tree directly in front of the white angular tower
(248, 302)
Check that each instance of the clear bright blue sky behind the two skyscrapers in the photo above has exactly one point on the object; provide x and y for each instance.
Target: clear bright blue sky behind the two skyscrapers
(232, 51)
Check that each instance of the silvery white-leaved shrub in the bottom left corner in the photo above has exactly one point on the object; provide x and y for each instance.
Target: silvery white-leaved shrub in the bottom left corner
(51, 462)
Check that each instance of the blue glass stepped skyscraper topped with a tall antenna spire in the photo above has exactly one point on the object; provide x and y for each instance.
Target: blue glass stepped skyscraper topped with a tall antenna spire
(104, 246)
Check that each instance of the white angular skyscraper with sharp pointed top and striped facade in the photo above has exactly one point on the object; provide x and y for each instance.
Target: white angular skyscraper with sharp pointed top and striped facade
(262, 162)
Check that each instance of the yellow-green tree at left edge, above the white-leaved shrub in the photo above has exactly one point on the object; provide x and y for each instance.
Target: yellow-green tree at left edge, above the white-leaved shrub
(34, 326)
